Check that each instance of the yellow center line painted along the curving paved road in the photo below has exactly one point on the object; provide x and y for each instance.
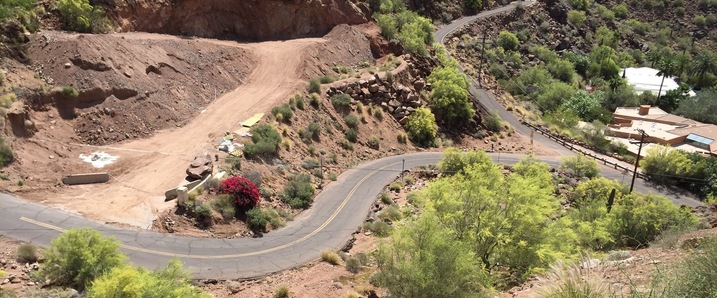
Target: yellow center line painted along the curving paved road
(254, 253)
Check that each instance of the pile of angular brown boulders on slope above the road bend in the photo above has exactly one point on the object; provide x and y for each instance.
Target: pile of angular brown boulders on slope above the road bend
(398, 100)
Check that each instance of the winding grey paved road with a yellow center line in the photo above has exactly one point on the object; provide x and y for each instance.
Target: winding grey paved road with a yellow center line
(337, 212)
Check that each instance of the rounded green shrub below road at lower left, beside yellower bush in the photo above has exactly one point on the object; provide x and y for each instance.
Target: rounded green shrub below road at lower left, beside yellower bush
(79, 256)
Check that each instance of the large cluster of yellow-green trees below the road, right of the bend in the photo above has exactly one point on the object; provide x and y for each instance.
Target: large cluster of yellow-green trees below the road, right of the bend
(482, 230)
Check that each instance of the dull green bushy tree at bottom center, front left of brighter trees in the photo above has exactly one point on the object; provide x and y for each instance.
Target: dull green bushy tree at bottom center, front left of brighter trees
(422, 260)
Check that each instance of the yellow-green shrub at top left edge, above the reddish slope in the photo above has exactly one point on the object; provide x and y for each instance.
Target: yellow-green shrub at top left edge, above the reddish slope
(81, 16)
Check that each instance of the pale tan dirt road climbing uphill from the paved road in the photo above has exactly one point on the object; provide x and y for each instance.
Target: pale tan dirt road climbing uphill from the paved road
(148, 167)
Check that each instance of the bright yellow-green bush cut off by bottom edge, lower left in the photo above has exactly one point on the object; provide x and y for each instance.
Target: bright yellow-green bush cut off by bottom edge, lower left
(134, 282)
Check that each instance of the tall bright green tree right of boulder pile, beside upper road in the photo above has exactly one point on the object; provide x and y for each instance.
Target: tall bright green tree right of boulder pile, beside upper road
(449, 97)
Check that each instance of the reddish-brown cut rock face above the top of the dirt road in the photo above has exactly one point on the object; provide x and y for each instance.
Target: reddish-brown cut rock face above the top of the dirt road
(246, 19)
